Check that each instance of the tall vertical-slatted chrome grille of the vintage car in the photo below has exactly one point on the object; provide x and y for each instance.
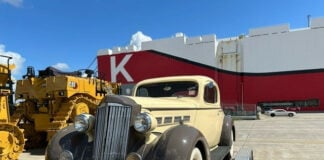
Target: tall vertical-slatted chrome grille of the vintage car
(111, 132)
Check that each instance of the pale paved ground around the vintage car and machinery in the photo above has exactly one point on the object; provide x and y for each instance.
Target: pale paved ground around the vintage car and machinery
(271, 138)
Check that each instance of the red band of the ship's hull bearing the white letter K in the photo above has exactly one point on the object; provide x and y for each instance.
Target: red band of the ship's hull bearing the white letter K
(237, 89)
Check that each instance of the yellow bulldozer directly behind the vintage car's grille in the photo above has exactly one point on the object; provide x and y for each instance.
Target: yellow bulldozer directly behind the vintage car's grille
(50, 101)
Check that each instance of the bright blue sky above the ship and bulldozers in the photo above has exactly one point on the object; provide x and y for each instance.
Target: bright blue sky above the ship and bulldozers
(68, 33)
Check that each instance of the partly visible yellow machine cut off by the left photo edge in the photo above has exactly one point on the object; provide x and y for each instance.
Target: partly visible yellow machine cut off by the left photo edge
(11, 137)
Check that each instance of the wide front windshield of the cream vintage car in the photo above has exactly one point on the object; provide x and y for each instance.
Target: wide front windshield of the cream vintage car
(168, 89)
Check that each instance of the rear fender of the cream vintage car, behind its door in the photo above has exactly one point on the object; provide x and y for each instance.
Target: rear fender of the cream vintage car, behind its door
(227, 128)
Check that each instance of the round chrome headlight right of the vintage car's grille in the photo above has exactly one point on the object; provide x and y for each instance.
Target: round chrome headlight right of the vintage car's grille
(144, 122)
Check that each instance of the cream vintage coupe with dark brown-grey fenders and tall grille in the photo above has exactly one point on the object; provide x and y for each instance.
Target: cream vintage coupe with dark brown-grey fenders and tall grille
(169, 118)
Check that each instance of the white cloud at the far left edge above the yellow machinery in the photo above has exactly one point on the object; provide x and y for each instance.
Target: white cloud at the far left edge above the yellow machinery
(17, 60)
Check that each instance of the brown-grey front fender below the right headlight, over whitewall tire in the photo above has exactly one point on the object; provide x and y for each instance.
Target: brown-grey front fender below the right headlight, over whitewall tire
(177, 144)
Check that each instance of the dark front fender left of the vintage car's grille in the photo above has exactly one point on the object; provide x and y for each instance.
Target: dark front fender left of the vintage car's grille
(69, 139)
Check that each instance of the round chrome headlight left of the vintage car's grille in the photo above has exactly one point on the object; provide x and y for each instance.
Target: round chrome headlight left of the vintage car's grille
(84, 122)
